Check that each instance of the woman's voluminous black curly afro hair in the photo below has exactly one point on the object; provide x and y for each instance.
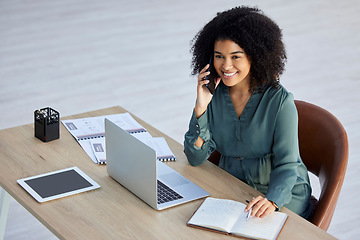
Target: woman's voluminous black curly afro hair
(258, 35)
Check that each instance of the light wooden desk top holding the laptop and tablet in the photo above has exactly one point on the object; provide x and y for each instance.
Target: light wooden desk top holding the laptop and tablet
(112, 212)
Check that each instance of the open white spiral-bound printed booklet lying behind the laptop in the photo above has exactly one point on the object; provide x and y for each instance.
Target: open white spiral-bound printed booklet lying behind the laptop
(90, 134)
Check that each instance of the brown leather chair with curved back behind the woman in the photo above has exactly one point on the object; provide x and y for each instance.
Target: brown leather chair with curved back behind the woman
(324, 150)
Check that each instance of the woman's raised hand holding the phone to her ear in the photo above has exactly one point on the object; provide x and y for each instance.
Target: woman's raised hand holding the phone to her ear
(203, 94)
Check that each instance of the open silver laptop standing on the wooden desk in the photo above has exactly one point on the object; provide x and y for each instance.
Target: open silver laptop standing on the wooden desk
(134, 165)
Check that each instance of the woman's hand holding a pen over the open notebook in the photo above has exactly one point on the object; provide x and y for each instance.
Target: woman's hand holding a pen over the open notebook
(261, 207)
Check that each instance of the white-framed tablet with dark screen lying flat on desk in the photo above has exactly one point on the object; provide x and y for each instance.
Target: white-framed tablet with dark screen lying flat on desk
(57, 184)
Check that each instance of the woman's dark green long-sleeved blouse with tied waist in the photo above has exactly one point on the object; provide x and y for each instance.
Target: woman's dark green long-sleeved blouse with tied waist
(260, 148)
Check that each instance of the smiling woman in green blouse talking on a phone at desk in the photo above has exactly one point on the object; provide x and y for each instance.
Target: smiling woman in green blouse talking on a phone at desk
(251, 119)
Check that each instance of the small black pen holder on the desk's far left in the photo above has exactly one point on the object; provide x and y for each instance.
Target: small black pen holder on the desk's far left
(46, 123)
